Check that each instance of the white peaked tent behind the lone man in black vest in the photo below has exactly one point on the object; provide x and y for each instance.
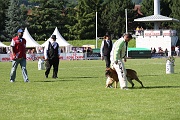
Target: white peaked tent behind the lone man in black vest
(60, 40)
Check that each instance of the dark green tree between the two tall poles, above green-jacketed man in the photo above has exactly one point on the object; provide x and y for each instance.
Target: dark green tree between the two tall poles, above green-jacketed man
(113, 16)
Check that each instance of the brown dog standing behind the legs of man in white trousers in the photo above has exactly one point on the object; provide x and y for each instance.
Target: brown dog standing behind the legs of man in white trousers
(112, 77)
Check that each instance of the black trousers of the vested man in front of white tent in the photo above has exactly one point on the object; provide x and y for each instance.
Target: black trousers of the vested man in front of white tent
(52, 62)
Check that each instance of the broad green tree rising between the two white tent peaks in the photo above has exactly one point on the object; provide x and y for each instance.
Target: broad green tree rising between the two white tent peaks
(46, 16)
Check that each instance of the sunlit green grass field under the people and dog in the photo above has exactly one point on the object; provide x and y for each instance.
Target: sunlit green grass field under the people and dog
(80, 94)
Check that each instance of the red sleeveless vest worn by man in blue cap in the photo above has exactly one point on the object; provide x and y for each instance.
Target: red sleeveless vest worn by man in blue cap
(19, 47)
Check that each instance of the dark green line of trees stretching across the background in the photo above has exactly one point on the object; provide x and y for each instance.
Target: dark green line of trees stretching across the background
(76, 19)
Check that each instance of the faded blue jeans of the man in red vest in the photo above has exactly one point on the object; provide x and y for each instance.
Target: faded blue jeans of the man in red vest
(22, 63)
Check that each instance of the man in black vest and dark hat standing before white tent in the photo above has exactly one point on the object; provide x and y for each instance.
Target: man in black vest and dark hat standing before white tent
(51, 56)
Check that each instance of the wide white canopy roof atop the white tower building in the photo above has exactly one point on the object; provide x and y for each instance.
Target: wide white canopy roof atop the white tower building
(156, 18)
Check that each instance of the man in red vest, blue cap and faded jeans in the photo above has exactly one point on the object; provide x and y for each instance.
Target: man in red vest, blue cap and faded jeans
(18, 56)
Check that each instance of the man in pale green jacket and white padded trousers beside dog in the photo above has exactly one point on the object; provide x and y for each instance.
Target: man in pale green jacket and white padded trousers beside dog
(117, 54)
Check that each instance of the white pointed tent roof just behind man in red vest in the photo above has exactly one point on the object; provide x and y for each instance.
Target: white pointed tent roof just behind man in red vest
(30, 42)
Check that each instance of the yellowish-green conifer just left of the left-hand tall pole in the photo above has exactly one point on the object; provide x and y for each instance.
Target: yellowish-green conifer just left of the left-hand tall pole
(84, 19)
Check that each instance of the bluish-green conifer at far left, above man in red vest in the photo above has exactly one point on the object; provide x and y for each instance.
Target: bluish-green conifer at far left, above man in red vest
(15, 18)
